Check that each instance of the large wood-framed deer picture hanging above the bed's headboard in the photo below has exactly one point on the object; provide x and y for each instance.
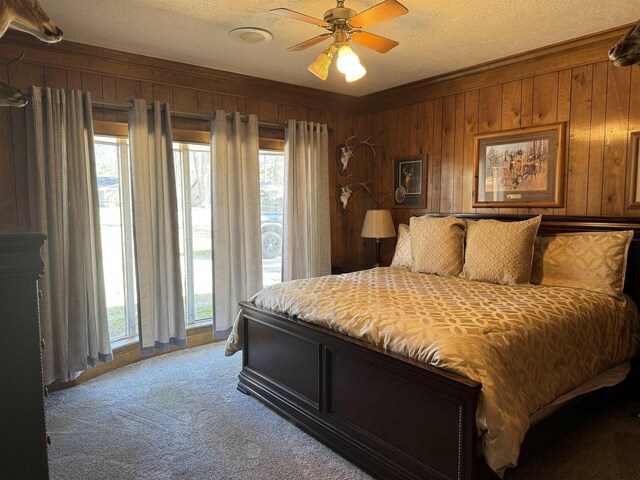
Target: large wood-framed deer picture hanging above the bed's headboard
(520, 168)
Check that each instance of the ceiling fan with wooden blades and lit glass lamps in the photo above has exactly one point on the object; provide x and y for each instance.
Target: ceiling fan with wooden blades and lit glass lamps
(344, 25)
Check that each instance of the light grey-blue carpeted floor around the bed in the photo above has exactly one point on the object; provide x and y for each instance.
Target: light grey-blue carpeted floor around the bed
(179, 416)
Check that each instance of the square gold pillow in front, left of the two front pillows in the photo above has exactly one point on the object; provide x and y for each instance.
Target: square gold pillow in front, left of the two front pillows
(437, 245)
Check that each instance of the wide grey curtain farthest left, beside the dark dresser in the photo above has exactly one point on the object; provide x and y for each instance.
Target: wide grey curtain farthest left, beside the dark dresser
(63, 201)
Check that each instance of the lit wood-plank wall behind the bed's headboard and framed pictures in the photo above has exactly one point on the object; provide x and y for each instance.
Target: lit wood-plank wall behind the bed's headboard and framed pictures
(599, 102)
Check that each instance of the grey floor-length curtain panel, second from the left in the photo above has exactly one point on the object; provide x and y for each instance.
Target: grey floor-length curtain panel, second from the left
(155, 225)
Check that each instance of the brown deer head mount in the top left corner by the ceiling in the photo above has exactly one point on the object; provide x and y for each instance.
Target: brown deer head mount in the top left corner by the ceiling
(28, 16)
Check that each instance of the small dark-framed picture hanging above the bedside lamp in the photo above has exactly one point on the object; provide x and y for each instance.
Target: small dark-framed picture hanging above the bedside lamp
(409, 181)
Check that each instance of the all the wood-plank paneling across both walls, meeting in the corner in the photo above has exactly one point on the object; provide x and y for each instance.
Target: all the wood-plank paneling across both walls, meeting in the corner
(571, 82)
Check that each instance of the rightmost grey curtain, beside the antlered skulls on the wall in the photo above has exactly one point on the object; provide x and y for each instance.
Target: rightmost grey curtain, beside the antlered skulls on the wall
(307, 229)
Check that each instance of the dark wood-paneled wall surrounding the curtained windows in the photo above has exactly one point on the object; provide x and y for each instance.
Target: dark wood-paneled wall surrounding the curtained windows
(112, 75)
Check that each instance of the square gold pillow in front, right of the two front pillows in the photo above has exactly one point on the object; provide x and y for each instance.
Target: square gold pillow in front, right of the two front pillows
(500, 252)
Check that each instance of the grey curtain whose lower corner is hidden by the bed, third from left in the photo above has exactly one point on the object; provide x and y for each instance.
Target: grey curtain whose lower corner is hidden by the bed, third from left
(237, 246)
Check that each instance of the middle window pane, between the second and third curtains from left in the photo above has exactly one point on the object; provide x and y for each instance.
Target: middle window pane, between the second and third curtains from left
(193, 179)
